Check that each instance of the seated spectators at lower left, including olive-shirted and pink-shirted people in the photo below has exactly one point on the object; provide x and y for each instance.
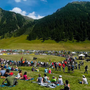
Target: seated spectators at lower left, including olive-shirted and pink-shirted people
(11, 78)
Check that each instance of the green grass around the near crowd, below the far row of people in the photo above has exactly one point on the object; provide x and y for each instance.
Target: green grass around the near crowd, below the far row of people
(27, 85)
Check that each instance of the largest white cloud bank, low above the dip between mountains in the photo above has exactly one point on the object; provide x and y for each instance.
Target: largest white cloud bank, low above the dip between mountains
(24, 13)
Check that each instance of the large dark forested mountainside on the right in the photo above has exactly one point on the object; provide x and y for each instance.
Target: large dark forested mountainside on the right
(71, 22)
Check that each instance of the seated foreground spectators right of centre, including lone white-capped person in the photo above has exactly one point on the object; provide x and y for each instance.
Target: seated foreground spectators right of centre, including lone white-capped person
(58, 81)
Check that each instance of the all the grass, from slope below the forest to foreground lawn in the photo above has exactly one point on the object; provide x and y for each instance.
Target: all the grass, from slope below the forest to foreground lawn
(22, 43)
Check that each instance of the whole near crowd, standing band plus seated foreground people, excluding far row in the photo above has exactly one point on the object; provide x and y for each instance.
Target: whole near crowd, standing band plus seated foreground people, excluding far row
(69, 63)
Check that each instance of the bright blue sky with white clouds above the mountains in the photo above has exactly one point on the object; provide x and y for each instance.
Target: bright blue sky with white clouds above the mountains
(35, 9)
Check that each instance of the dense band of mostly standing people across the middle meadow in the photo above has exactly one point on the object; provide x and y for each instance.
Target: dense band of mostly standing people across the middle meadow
(69, 62)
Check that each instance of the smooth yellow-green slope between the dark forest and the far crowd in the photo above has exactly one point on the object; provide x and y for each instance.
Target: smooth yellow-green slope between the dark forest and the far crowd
(22, 43)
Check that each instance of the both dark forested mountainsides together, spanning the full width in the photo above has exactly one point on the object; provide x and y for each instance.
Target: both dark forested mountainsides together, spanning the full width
(71, 22)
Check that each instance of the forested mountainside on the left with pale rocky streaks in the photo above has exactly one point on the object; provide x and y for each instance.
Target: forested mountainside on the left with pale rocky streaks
(12, 24)
